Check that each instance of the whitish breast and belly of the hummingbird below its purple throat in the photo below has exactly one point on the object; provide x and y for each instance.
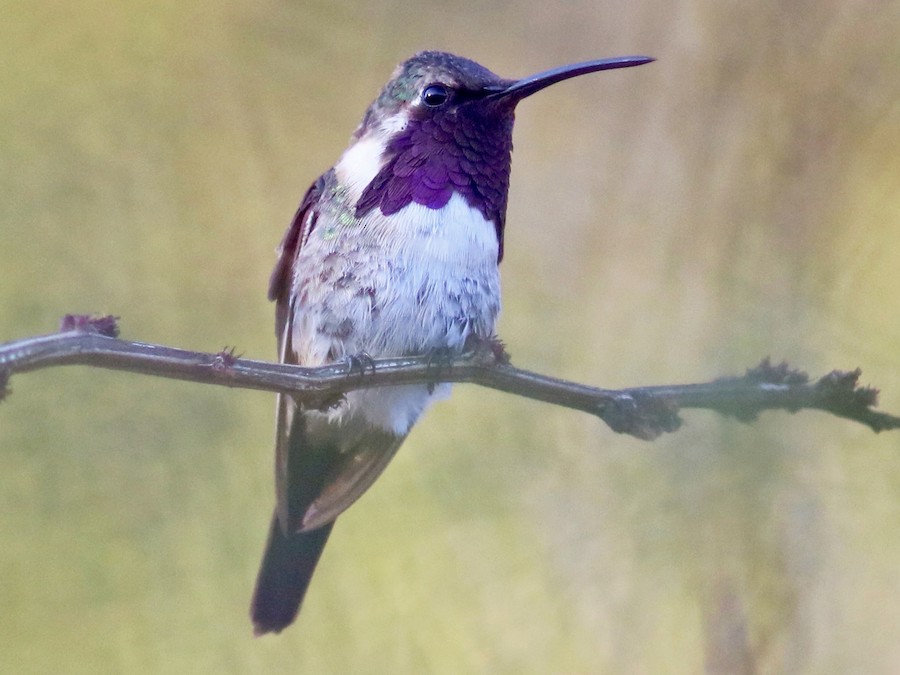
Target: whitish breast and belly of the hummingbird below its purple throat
(419, 280)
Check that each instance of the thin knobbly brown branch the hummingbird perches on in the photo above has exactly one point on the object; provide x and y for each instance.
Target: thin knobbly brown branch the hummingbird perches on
(644, 412)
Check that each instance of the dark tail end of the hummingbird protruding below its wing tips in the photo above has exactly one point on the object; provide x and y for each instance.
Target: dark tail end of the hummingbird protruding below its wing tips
(287, 567)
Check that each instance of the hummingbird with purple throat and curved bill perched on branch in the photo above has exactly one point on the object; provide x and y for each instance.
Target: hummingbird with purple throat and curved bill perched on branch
(392, 252)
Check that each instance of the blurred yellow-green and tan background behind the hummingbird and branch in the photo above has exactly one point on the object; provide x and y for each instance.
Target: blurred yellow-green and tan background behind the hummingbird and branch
(672, 223)
